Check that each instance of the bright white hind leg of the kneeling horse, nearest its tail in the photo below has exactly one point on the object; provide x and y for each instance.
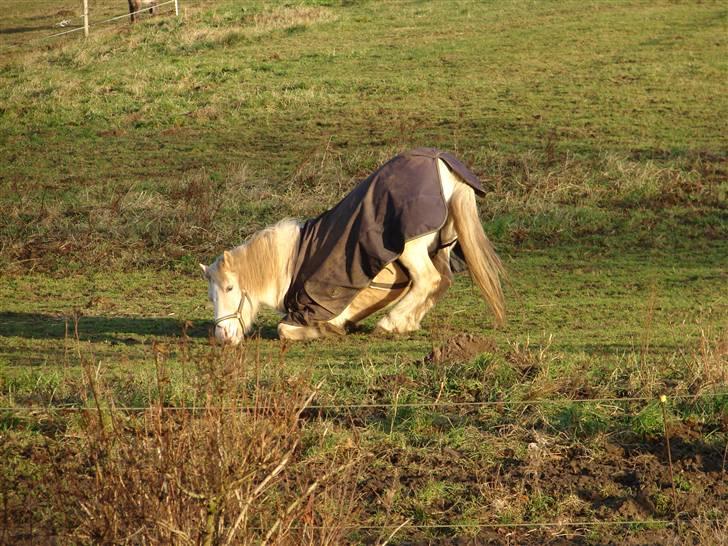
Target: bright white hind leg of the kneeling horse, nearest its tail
(427, 284)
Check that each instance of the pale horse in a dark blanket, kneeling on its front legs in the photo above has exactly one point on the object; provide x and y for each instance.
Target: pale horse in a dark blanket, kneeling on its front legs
(325, 279)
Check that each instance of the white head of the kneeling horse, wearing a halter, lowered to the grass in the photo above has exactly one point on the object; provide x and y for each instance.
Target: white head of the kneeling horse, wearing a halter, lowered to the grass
(234, 310)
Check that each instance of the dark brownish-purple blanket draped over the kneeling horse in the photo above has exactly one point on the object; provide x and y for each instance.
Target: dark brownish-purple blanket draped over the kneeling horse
(343, 249)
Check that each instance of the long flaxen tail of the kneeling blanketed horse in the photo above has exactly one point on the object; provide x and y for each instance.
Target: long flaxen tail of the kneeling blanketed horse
(484, 264)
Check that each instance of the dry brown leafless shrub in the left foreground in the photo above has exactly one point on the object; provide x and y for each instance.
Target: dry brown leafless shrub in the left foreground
(219, 474)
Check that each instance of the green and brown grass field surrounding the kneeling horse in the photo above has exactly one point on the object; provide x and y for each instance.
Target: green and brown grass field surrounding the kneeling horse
(598, 129)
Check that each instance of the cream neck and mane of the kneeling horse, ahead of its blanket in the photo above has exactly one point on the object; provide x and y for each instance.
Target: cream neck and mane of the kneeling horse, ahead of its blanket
(274, 254)
